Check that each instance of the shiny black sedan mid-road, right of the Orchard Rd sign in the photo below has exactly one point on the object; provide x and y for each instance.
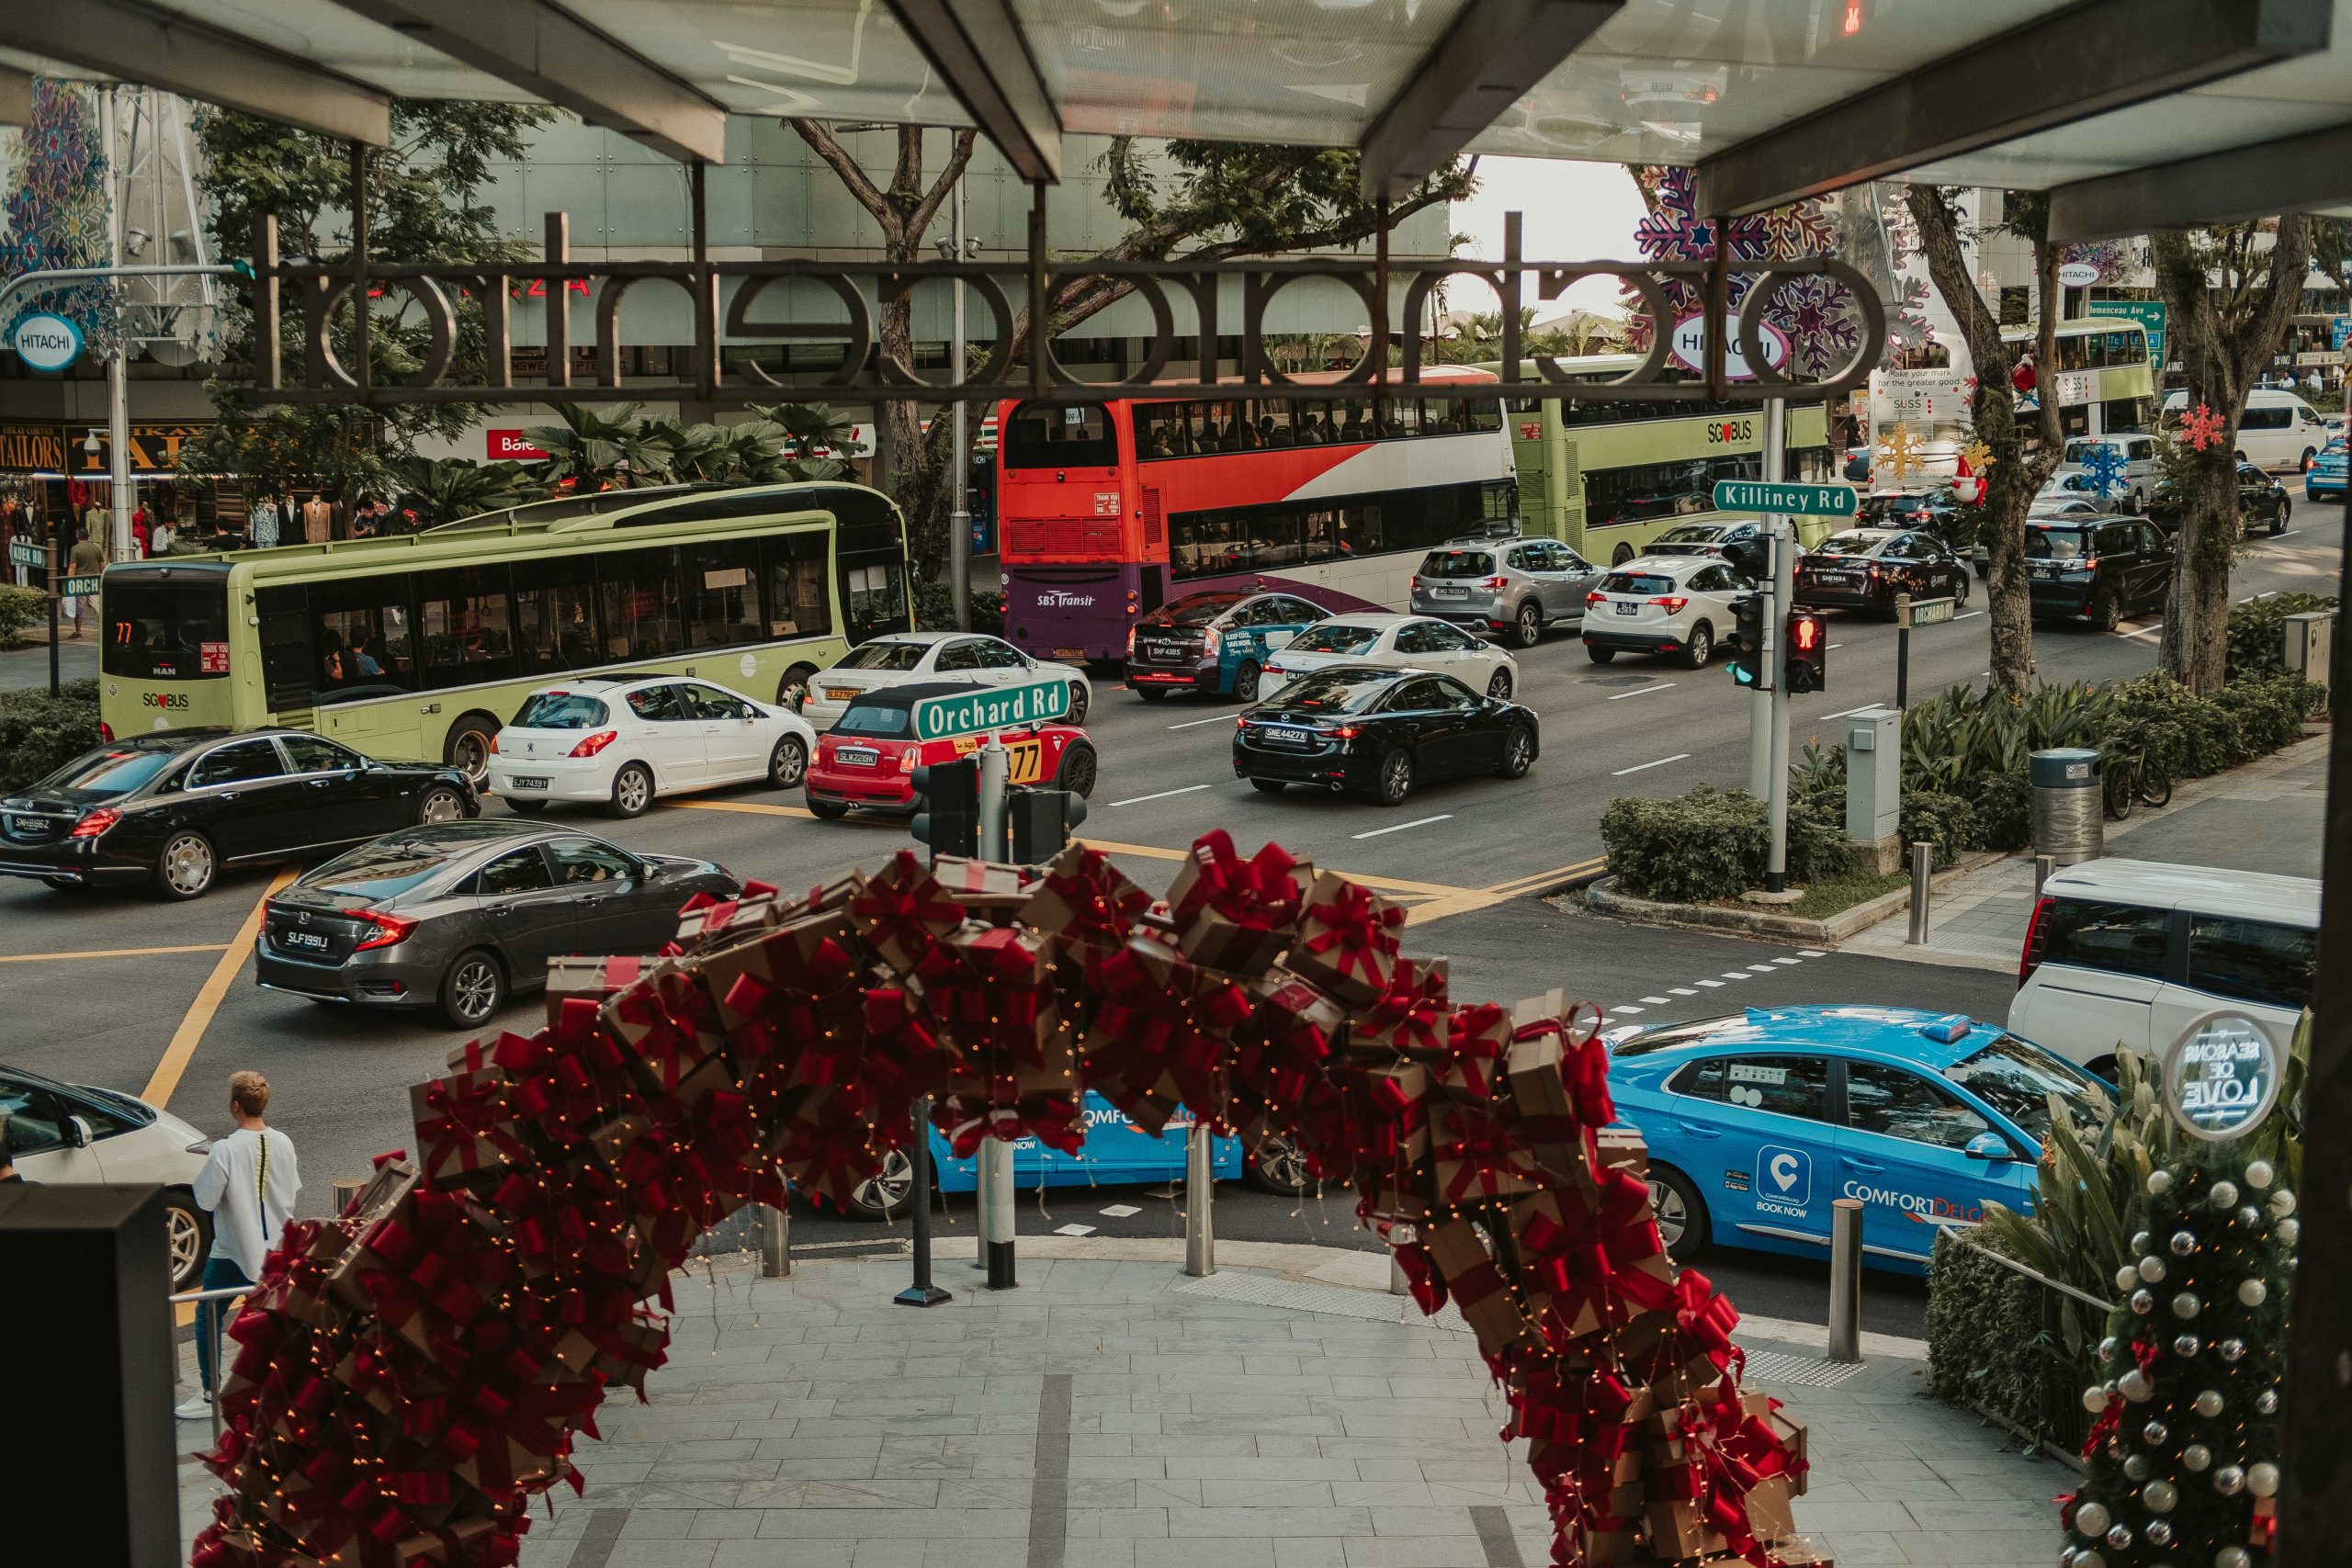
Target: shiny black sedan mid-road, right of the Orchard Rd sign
(1379, 732)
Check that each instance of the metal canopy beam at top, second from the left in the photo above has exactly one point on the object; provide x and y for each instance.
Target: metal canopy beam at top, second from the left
(554, 55)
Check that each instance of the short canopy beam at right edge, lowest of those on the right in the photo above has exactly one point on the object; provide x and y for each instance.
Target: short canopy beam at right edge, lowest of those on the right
(2301, 173)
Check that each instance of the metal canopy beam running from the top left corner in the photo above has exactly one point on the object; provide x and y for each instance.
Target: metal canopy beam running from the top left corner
(140, 43)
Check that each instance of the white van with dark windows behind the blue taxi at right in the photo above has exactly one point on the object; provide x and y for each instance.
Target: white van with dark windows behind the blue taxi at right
(2134, 951)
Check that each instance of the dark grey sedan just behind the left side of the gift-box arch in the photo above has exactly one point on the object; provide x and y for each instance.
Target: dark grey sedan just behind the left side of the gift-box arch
(462, 916)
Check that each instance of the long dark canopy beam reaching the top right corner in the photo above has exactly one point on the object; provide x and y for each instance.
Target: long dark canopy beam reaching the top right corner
(2073, 65)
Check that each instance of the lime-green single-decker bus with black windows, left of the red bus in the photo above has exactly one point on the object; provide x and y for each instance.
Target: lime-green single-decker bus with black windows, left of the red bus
(422, 645)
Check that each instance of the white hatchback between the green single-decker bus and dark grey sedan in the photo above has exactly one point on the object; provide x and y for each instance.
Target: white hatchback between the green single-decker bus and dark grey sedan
(624, 742)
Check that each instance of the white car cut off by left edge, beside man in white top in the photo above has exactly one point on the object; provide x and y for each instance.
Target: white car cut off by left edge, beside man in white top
(79, 1134)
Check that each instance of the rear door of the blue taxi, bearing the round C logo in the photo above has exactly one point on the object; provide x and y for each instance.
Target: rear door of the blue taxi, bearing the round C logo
(1760, 1151)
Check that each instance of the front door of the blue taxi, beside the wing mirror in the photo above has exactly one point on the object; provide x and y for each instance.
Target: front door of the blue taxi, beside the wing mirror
(1904, 1153)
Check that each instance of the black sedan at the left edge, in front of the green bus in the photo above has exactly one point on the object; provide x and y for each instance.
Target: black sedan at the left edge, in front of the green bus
(171, 810)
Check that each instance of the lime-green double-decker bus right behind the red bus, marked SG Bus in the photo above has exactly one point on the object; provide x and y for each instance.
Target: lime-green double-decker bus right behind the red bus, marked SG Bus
(1608, 476)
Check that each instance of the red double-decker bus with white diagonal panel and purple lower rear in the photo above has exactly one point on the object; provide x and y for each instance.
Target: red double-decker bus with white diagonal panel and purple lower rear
(1111, 511)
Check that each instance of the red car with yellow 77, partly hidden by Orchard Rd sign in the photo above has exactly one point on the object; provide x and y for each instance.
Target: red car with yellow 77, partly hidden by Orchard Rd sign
(871, 753)
